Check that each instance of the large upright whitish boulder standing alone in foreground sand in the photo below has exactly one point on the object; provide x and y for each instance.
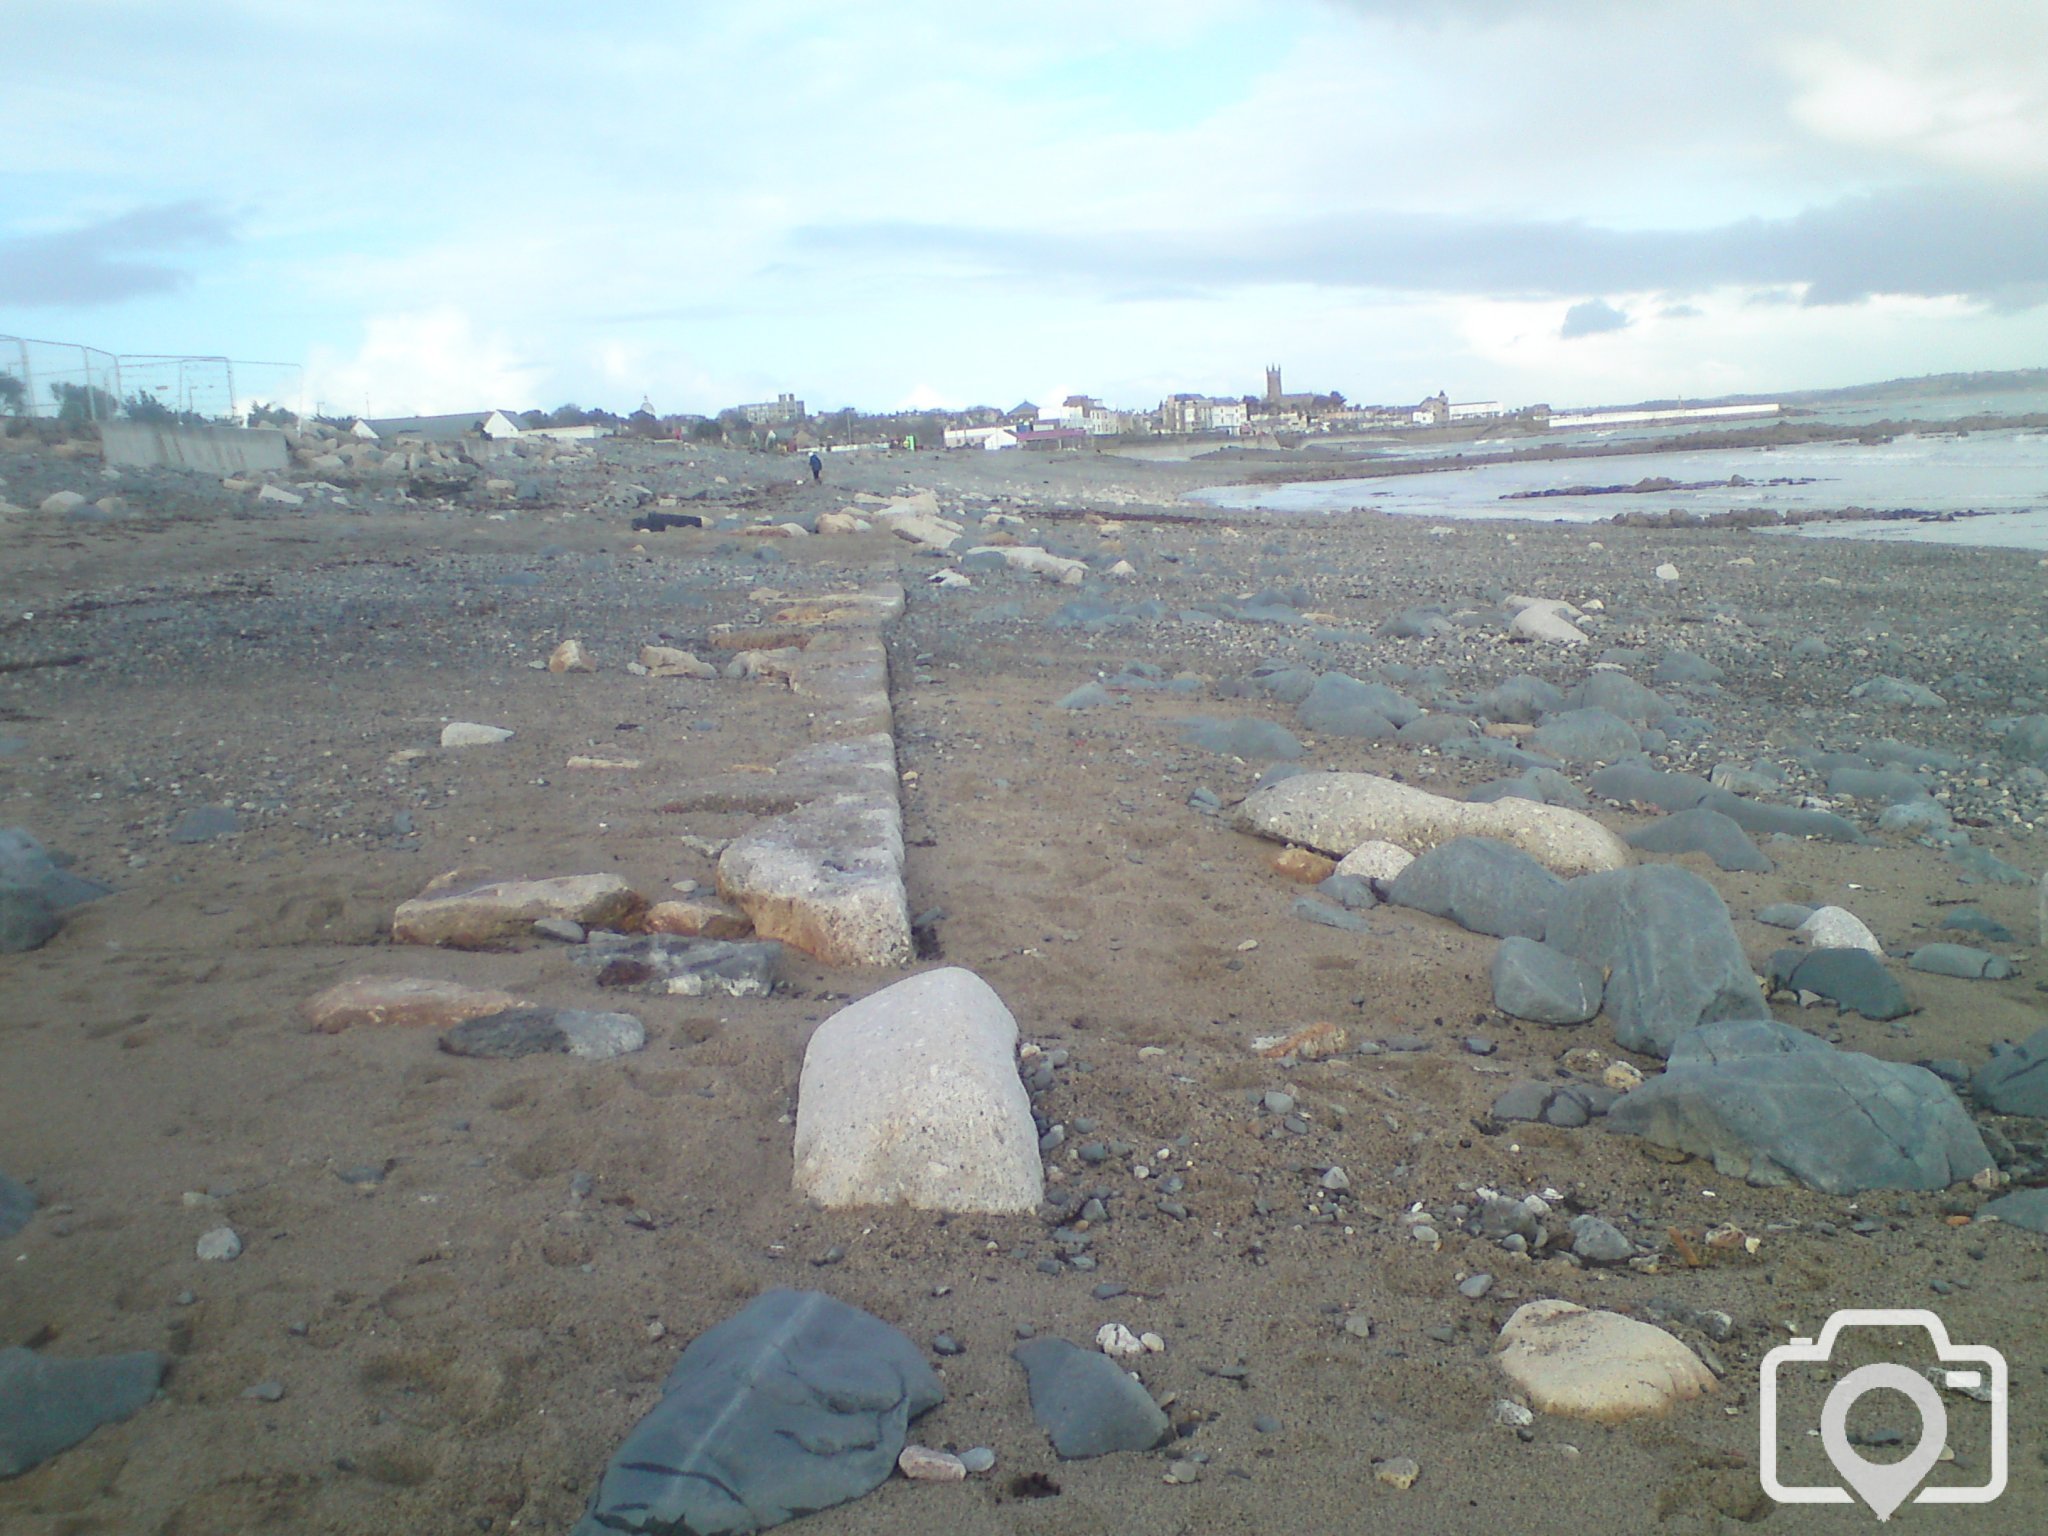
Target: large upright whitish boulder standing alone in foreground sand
(912, 1097)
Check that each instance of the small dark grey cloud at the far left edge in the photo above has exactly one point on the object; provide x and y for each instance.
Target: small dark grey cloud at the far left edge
(110, 261)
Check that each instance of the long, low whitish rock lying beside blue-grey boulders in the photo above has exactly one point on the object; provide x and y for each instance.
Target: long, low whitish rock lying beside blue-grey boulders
(1334, 814)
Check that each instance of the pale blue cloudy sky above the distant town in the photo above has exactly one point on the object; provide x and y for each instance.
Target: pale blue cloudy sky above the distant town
(435, 206)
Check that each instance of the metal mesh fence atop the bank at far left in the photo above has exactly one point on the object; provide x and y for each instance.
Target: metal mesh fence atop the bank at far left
(83, 384)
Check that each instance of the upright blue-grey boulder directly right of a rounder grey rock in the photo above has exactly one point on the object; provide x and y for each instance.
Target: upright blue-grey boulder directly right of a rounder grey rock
(1668, 947)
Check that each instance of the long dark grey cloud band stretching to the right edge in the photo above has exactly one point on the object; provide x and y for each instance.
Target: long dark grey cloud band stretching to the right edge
(1922, 241)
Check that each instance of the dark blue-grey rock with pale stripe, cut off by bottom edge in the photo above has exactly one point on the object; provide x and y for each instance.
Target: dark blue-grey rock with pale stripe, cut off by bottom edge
(794, 1406)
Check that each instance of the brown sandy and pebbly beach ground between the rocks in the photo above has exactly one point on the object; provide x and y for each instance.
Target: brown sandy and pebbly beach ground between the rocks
(470, 1277)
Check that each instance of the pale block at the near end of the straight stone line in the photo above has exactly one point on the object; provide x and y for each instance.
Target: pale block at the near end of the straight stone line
(826, 880)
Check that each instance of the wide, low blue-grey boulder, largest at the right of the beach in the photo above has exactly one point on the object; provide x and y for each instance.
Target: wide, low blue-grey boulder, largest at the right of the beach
(1764, 1103)
